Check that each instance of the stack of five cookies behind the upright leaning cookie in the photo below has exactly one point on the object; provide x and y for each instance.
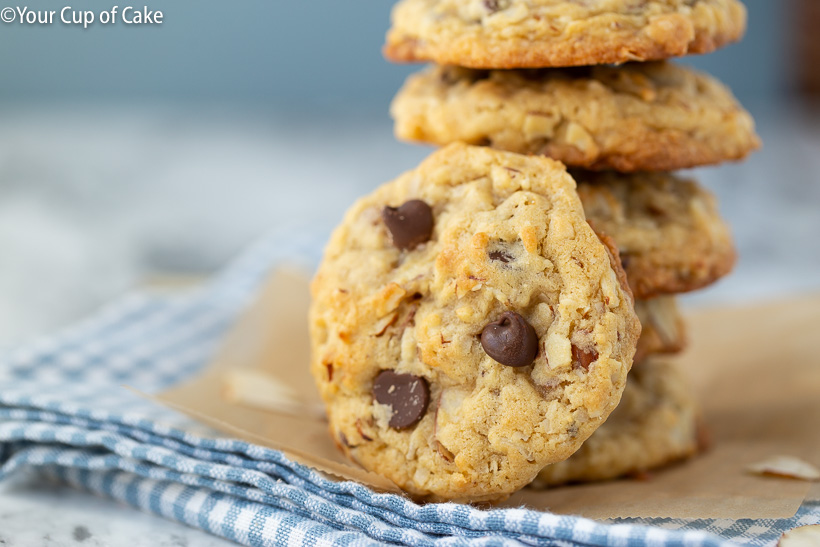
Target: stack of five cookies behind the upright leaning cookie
(588, 84)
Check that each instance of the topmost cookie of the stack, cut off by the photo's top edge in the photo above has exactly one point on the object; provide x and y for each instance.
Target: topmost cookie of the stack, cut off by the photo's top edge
(558, 33)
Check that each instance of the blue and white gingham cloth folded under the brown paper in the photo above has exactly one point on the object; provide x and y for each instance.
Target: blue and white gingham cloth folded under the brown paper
(63, 413)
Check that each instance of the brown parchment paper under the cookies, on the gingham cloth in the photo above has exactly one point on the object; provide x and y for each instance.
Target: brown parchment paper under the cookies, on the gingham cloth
(755, 368)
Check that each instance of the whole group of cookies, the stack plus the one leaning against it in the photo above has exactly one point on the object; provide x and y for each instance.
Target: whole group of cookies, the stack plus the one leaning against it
(473, 321)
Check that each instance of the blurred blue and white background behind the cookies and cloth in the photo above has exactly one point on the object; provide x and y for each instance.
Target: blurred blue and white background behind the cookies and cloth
(150, 155)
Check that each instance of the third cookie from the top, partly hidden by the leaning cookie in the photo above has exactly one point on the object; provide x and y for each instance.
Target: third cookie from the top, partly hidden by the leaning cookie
(668, 229)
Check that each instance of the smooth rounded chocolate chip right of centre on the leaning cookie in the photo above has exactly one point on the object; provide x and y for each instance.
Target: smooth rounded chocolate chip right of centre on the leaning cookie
(510, 340)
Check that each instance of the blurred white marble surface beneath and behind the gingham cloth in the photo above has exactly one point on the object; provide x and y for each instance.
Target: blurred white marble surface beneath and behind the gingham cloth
(95, 200)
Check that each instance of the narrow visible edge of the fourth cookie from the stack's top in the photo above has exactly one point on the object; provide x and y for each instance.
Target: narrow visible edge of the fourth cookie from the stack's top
(662, 327)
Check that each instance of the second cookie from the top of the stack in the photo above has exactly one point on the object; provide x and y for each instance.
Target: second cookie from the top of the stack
(635, 117)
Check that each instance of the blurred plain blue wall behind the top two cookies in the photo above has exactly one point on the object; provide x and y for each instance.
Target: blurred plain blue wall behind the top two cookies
(283, 54)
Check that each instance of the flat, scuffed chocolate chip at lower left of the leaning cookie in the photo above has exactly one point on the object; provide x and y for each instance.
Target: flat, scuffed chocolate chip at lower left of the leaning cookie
(406, 394)
